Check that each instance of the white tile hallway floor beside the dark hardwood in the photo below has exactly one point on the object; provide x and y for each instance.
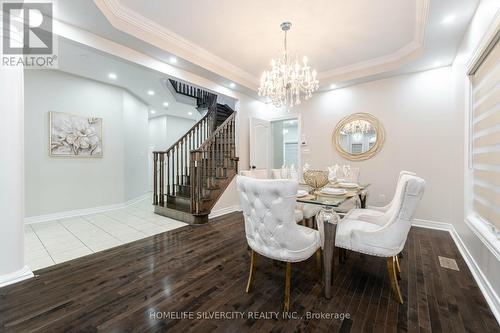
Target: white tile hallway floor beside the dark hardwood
(54, 242)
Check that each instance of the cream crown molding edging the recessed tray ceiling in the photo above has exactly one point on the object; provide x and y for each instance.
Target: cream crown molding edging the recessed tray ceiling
(127, 20)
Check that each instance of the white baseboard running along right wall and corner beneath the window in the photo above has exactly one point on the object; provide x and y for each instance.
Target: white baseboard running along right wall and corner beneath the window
(484, 285)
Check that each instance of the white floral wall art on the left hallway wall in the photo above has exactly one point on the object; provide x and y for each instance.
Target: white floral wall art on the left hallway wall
(74, 135)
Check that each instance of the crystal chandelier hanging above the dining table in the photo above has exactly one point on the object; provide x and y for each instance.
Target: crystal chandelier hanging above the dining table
(288, 79)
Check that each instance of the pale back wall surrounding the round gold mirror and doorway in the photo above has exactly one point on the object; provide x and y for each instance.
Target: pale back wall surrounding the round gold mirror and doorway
(422, 131)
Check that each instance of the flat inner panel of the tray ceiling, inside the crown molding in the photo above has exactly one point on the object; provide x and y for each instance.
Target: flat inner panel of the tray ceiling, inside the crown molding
(247, 33)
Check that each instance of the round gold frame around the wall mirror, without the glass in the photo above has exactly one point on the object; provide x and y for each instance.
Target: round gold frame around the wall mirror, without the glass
(370, 152)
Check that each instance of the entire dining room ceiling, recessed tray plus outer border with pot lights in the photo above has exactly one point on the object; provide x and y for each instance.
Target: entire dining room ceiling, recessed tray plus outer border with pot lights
(233, 41)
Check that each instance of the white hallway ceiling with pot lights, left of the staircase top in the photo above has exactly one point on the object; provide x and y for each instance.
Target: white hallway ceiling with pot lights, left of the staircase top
(86, 62)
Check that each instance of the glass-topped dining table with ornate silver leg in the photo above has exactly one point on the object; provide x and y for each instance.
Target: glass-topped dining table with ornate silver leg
(328, 217)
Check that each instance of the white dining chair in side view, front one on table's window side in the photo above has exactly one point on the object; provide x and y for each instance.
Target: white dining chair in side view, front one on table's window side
(387, 234)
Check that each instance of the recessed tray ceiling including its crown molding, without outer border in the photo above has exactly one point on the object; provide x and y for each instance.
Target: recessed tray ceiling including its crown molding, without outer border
(236, 39)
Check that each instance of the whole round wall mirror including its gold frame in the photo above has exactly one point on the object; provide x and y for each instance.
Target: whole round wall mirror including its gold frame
(358, 136)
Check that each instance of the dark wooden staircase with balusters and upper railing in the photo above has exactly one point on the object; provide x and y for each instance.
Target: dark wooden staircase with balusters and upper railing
(191, 175)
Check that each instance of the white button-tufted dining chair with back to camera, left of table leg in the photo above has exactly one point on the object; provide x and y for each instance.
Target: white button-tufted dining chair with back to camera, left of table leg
(270, 227)
